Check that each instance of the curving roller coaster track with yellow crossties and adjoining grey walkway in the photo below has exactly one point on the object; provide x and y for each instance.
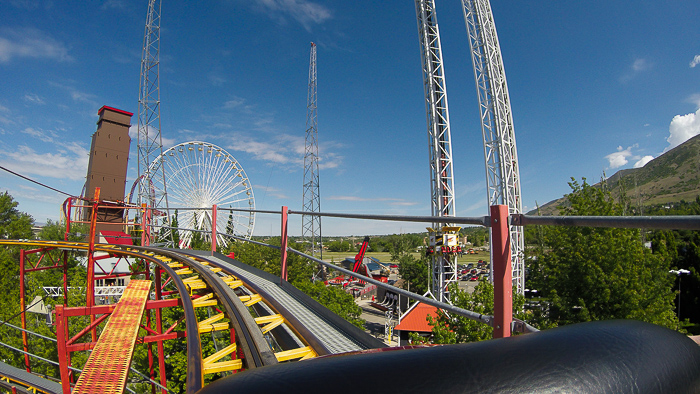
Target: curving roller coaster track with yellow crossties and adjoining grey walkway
(269, 321)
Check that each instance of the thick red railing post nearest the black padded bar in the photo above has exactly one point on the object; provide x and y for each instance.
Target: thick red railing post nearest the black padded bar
(501, 271)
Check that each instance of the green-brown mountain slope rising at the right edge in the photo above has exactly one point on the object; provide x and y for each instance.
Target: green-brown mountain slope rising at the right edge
(671, 177)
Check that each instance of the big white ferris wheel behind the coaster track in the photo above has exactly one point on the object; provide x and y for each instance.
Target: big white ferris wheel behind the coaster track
(199, 175)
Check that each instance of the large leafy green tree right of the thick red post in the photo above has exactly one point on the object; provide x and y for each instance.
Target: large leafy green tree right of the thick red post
(600, 273)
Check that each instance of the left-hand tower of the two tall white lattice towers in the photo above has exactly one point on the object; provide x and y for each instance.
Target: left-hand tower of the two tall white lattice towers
(444, 268)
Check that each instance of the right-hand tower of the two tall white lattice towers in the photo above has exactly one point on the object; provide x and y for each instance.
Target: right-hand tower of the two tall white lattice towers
(502, 173)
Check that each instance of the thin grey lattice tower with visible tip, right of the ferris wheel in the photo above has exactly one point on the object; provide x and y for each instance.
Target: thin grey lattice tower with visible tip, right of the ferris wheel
(311, 224)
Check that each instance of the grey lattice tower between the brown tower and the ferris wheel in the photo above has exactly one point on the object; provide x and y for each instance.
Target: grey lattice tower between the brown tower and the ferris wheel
(150, 144)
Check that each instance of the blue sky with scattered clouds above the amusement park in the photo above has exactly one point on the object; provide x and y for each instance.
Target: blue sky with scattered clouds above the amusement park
(595, 87)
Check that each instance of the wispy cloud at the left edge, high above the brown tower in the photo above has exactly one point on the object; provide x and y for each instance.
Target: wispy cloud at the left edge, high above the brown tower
(30, 43)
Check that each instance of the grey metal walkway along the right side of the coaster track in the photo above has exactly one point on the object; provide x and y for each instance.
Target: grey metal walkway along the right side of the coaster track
(330, 331)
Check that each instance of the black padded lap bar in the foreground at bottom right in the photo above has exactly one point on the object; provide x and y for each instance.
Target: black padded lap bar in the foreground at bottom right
(619, 356)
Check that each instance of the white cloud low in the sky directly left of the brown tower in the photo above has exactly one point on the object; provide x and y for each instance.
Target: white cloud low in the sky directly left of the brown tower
(68, 162)
